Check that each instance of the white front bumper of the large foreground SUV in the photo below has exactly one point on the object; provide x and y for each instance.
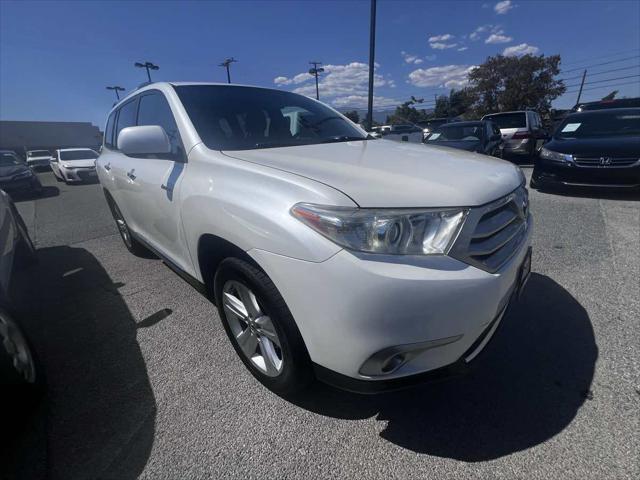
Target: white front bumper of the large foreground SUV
(352, 306)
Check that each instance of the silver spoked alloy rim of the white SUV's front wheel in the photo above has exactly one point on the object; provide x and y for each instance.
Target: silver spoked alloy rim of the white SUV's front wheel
(252, 329)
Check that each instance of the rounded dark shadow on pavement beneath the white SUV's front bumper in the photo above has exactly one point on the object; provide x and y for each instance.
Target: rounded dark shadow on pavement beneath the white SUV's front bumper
(526, 387)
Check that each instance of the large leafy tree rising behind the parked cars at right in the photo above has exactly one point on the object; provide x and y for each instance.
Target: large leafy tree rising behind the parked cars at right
(516, 83)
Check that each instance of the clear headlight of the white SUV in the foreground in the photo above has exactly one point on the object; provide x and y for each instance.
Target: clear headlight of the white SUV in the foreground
(390, 231)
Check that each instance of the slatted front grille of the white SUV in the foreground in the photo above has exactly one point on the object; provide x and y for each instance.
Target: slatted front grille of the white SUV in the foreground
(493, 233)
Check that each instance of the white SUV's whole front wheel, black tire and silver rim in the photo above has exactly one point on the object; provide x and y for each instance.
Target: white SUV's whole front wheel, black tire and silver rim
(261, 327)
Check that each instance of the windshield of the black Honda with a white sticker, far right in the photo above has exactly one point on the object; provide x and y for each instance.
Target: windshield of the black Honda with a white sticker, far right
(610, 124)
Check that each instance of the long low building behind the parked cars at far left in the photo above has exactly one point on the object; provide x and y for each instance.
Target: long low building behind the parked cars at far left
(21, 136)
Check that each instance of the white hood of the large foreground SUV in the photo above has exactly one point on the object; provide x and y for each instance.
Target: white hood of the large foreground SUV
(382, 173)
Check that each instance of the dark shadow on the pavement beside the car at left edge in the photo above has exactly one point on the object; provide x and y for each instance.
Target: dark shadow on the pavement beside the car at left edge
(100, 408)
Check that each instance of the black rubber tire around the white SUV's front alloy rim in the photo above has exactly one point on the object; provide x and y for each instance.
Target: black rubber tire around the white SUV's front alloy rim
(297, 372)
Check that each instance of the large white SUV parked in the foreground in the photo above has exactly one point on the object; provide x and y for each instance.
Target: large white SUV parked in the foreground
(357, 261)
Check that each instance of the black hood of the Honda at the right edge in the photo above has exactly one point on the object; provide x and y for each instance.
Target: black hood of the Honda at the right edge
(619, 146)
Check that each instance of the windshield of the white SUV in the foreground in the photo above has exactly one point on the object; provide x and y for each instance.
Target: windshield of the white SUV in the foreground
(241, 118)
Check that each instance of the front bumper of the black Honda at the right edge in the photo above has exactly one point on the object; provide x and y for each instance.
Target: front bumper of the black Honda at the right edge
(547, 173)
